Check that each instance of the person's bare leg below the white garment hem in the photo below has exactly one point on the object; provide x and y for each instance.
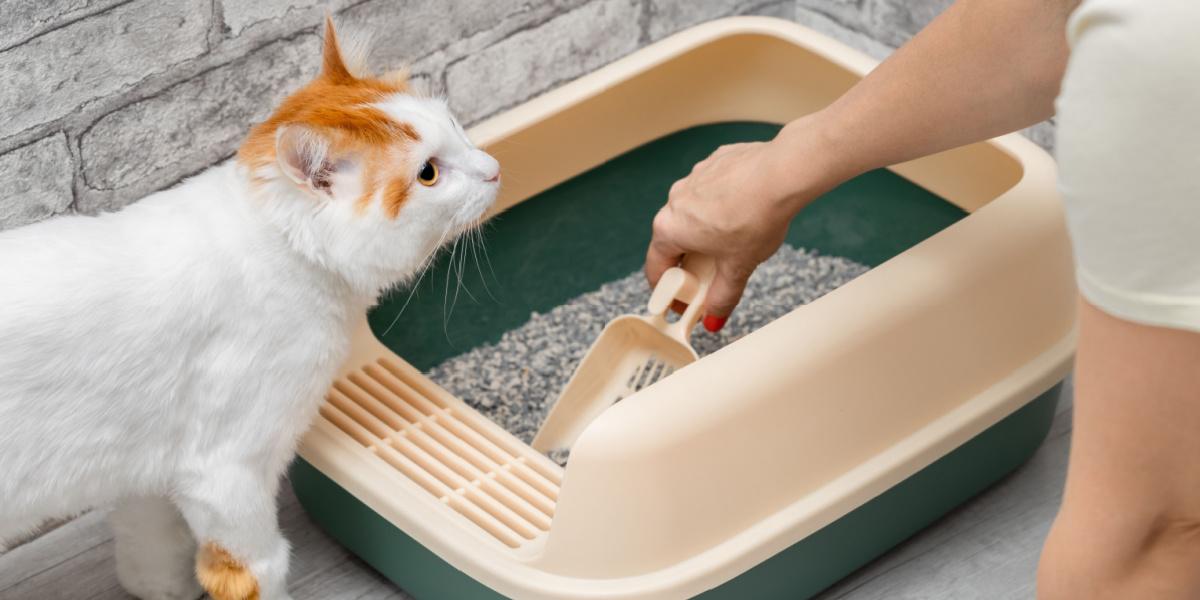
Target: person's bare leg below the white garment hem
(1130, 525)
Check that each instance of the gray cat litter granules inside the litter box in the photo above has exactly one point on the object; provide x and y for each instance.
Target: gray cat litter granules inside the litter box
(515, 381)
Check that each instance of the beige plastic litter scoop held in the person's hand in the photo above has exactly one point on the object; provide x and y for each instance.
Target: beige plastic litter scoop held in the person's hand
(632, 353)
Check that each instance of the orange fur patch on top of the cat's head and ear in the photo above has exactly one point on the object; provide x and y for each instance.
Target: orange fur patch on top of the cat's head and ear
(340, 106)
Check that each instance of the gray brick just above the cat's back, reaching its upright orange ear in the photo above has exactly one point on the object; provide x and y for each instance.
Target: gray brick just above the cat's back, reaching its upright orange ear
(157, 142)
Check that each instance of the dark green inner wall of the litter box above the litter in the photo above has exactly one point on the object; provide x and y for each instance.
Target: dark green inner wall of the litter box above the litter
(599, 233)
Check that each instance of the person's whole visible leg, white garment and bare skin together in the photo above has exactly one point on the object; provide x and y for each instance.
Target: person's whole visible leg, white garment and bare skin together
(1129, 154)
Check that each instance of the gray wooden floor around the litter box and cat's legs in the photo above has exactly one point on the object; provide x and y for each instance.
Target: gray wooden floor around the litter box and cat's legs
(986, 549)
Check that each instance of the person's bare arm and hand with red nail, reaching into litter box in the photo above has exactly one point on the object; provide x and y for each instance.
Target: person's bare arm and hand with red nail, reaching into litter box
(983, 68)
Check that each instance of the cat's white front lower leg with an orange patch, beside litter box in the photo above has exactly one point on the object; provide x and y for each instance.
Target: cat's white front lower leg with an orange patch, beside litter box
(242, 554)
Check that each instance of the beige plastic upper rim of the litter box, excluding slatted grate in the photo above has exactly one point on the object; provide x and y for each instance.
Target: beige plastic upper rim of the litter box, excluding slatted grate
(747, 452)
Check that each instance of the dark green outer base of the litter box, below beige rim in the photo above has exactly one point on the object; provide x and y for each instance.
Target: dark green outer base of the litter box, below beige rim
(800, 572)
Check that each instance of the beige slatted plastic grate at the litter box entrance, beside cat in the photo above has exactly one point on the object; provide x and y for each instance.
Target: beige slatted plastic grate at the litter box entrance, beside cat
(401, 417)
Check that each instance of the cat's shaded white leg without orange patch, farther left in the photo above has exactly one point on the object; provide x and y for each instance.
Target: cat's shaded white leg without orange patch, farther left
(155, 550)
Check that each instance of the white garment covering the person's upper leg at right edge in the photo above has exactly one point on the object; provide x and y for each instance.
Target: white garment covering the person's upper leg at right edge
(1129, 154)
